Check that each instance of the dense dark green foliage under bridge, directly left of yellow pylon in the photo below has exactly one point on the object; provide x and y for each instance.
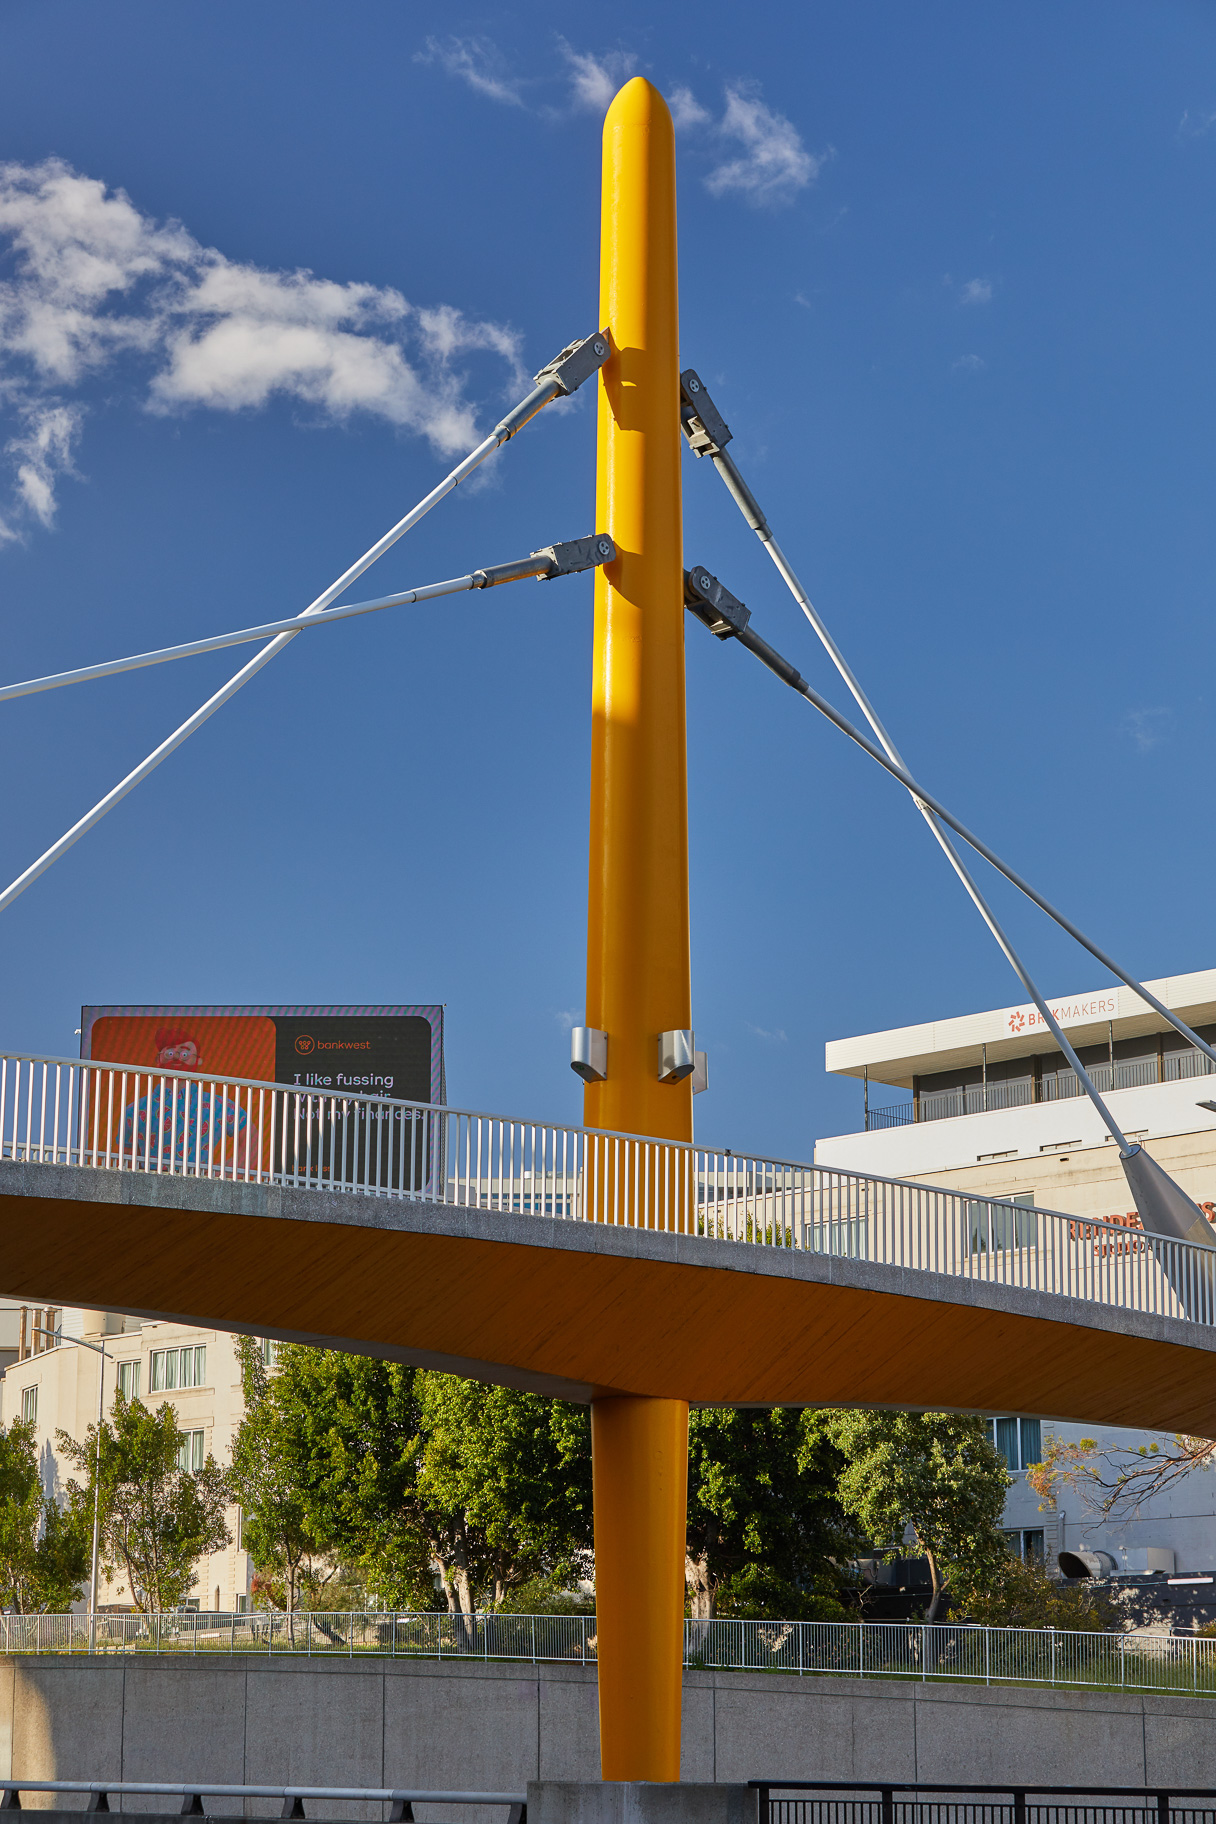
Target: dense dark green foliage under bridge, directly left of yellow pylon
(411, 1473)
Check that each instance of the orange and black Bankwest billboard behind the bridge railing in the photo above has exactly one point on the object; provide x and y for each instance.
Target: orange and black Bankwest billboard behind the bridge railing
(342, 1061)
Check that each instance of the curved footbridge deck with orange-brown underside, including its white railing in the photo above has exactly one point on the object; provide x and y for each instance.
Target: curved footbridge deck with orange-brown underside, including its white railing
(582, 1263)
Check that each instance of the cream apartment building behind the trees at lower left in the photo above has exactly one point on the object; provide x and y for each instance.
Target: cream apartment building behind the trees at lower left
(56, 1384)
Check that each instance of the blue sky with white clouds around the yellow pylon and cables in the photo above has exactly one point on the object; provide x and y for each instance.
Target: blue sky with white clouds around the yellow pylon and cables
(951, 275)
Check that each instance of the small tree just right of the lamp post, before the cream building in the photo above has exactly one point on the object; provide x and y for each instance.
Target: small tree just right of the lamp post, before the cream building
(156, 1517)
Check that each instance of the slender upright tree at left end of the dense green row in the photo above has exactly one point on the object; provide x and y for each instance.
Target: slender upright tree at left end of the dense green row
(269, 1478)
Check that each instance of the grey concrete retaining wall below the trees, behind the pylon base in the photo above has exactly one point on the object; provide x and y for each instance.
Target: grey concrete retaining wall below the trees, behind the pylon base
(495, 1728)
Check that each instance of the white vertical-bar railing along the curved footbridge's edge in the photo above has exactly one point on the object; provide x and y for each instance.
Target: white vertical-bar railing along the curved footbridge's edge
(61, 1112)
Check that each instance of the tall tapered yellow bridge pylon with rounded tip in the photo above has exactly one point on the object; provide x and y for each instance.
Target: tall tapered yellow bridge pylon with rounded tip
(639, 904)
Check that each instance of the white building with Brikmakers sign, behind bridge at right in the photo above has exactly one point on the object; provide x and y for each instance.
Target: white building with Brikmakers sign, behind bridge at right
(991, 1106)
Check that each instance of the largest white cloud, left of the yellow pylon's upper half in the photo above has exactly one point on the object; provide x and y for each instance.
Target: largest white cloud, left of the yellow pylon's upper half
(98, 287)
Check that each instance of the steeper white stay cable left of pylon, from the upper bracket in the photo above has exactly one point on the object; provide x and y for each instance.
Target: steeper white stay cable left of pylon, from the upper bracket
(562, 377)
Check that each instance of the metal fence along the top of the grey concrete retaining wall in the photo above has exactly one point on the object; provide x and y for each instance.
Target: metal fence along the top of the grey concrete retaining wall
(852, 1650)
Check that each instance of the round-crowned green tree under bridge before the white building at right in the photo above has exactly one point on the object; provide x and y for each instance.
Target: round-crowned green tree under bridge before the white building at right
(933, 1473)
